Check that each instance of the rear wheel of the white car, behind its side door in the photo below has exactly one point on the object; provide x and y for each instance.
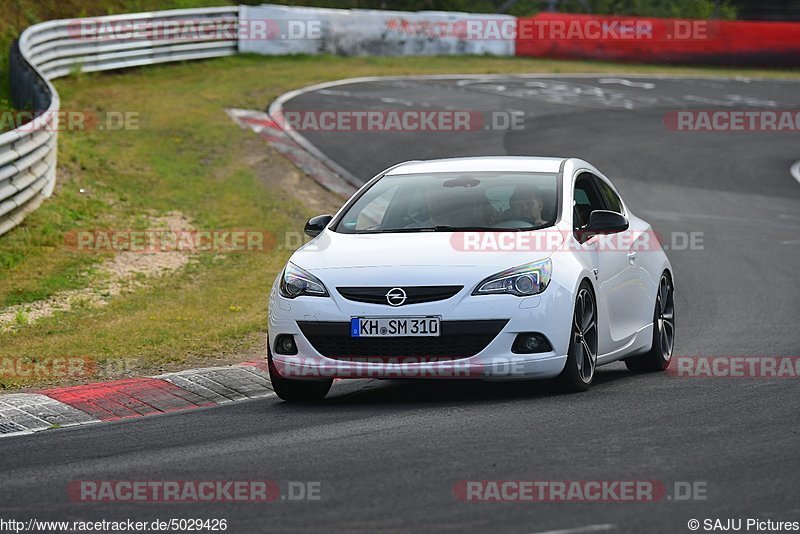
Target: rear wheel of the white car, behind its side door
(660, 354)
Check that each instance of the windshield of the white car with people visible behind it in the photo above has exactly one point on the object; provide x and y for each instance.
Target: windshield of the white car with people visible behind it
(498, 201)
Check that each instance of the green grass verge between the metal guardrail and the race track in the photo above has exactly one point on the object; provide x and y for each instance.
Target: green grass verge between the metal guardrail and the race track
(190, 157)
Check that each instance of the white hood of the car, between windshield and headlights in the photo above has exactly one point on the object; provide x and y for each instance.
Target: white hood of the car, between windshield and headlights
(442, 250)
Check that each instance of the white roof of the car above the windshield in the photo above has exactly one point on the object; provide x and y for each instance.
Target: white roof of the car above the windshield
(480, 164)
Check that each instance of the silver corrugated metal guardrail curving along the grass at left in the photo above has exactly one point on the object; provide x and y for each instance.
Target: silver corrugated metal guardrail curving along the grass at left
(56, 48)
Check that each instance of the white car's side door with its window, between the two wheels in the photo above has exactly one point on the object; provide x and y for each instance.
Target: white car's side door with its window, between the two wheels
(611, 266)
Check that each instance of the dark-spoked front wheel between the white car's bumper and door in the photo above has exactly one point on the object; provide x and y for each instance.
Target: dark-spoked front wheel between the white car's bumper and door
(578, 372)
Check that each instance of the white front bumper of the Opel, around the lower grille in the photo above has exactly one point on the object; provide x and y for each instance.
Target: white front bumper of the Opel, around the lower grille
(549, 313)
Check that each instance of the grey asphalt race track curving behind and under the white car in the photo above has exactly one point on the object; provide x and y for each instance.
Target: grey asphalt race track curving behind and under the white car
(388, 453)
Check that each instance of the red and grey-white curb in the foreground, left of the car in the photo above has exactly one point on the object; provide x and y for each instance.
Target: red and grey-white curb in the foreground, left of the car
(25, 413)
